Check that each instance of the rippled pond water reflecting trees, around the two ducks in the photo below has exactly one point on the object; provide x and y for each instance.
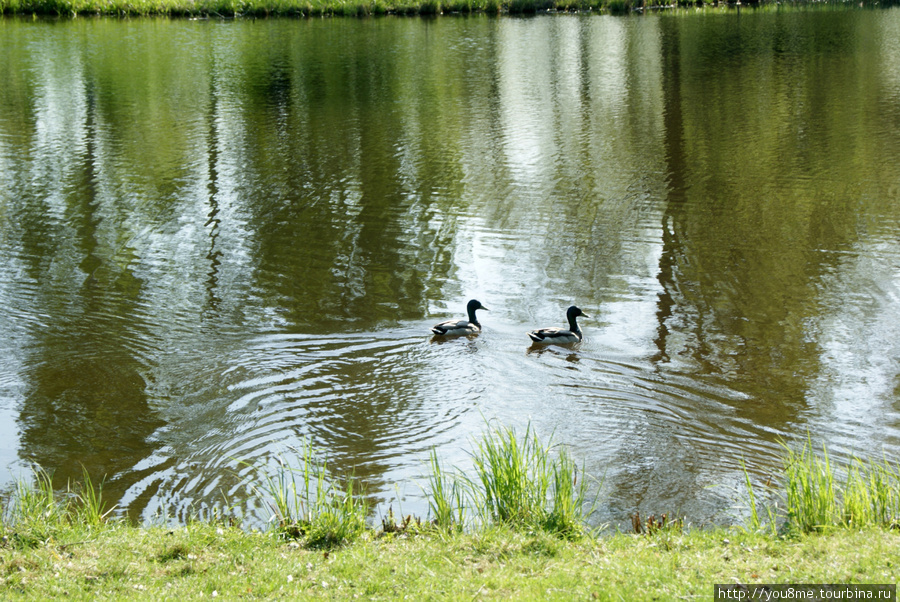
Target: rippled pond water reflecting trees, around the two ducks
(221, 239)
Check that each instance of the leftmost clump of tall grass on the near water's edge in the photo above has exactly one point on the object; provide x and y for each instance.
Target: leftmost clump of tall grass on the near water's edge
(34, 512)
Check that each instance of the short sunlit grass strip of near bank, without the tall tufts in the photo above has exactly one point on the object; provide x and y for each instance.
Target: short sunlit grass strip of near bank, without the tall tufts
(204, 560)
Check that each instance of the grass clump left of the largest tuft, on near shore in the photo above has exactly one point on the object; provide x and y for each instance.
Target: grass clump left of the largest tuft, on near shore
(310, 503)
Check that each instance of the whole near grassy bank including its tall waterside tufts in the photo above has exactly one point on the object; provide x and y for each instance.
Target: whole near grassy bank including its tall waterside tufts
(513, 528)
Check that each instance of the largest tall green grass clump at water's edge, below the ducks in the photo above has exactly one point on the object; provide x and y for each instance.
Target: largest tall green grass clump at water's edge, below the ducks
(518, 482)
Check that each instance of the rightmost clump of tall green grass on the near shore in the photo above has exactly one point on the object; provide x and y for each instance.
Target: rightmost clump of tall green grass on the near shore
(817, 497)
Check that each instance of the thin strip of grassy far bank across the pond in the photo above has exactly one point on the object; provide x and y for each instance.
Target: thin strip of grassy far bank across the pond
(317, 8)
